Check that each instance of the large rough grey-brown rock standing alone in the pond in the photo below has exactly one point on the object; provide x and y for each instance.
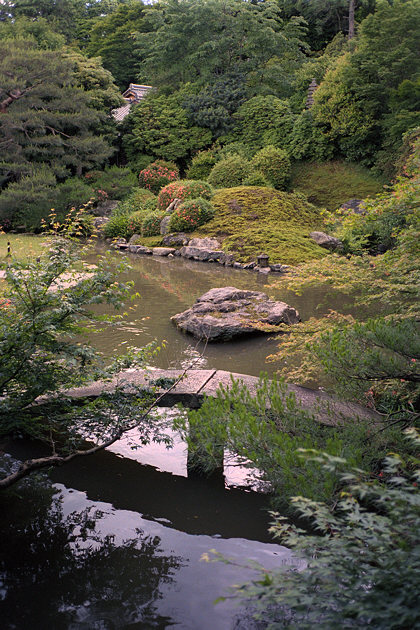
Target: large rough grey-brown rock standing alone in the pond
(224, 313)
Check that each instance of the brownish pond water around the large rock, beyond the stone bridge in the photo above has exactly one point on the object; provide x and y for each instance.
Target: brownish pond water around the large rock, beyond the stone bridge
(169, 286)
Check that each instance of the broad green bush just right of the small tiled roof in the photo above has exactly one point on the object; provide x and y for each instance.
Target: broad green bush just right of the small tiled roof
(159, 127)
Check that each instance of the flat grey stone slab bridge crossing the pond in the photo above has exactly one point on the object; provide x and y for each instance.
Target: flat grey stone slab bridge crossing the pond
(196, 384)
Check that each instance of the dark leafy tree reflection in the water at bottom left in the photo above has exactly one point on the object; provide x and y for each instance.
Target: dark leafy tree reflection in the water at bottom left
(60, 571)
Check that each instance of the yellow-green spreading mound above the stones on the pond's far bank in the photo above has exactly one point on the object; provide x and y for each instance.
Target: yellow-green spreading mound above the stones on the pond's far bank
(252, 220)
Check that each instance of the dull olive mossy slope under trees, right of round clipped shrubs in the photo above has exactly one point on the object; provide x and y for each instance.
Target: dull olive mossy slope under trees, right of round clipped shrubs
(330, 184)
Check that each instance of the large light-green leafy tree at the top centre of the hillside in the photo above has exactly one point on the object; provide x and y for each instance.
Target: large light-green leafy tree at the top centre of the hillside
(199, 42)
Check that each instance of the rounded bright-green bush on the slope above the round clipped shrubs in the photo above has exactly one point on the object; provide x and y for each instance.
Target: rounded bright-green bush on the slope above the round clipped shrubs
(262, 121)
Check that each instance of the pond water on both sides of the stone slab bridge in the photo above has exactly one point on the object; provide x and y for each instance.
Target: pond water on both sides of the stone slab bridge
(116, 541)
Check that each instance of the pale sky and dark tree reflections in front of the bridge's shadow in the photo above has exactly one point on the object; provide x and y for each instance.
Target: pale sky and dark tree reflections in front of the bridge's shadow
(71, 563)
